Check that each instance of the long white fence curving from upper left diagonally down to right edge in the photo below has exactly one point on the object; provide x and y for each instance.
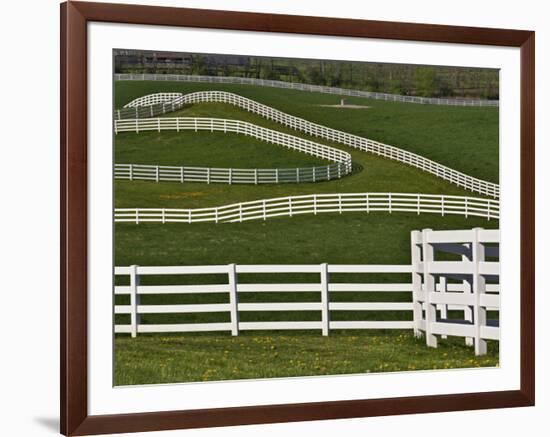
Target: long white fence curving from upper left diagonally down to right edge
(160, 103)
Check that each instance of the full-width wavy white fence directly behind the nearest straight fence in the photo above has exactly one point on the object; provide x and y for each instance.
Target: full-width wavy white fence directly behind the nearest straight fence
(317, 204)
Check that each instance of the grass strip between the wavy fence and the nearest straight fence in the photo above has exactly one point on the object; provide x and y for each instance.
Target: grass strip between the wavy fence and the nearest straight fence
(349, 238)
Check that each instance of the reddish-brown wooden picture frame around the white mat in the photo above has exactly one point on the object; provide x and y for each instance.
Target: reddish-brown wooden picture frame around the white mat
(74, 414)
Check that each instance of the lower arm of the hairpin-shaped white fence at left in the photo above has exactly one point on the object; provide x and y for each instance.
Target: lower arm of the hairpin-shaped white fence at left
(230, 175)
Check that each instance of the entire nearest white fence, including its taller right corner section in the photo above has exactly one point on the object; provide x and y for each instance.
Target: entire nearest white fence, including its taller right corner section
(431, 292)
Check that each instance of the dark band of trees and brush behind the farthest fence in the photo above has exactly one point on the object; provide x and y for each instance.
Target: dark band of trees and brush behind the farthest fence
(404, 79)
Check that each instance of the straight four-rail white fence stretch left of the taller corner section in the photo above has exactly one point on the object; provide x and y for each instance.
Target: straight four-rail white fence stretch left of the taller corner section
(235, 287)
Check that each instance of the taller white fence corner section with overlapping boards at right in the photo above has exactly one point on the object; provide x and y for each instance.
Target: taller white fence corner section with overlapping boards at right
(475, 293)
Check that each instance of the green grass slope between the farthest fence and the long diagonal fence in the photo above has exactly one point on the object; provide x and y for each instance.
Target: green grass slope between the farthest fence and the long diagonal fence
(463, 138)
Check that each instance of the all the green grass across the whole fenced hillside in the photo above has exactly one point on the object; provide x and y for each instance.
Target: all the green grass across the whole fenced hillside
(466, 139)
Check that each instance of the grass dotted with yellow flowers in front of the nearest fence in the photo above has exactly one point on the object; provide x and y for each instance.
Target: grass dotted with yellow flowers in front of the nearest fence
(209, 357)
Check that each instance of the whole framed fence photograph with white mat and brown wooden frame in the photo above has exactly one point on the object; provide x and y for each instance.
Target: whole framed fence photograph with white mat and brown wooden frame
(271, 218)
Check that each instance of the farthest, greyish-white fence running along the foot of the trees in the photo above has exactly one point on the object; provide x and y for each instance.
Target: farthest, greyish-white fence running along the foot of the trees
(308, 87)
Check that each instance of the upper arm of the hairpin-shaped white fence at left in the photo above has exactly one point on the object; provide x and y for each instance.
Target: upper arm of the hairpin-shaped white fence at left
(240, 127)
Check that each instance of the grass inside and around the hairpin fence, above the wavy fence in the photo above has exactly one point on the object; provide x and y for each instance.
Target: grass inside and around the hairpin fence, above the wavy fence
(371, 173)
